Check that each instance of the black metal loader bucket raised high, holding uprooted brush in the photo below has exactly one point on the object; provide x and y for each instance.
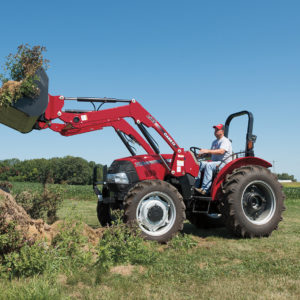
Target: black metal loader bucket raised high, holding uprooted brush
(23, 114)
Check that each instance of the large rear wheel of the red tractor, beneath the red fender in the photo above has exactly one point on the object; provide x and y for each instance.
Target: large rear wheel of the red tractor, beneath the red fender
(252, 202)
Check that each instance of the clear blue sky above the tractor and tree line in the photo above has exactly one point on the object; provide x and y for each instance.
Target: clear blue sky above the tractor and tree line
(190, 64)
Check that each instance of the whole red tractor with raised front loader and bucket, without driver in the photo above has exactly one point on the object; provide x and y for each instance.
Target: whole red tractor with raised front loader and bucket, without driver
(156, 190)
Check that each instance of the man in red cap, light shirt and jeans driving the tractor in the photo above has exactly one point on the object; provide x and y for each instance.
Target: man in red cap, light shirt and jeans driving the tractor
(221, 154)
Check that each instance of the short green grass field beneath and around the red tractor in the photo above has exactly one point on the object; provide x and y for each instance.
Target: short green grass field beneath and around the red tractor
(219, 267)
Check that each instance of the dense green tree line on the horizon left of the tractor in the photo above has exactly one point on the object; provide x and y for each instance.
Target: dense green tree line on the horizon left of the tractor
(59, 170)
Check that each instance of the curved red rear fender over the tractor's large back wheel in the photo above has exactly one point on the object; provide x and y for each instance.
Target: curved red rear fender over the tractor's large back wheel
(228, 169)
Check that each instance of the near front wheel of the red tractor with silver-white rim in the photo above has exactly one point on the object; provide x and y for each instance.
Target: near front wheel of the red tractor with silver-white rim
(158, 209)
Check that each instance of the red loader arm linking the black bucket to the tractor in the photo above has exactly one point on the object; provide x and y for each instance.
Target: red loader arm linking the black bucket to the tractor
(77, 122)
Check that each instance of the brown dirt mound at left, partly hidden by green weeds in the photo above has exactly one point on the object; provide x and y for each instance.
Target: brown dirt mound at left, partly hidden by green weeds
(33, 230)
